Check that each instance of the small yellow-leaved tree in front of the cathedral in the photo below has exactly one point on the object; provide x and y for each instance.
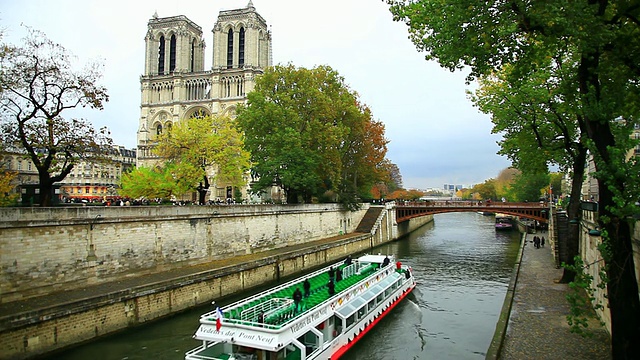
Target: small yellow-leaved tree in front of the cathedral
(195, 146)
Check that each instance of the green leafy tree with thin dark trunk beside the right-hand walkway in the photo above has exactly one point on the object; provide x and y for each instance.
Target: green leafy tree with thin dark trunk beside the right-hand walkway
(539, 129)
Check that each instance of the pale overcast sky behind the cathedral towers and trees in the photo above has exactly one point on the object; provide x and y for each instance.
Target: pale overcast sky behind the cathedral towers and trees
(436, 136)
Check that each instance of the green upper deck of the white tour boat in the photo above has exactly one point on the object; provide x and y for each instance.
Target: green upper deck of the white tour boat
(276, 307)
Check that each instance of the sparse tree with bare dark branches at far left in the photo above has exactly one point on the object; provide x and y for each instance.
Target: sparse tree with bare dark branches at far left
(38, 86)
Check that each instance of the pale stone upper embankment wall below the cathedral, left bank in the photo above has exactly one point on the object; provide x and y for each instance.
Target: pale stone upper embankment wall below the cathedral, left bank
(50, 249)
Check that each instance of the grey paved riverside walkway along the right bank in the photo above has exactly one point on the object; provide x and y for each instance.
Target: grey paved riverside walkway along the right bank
(537, 326)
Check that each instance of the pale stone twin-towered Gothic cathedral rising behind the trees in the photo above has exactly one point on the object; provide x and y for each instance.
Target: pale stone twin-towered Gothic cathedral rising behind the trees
(175, 85)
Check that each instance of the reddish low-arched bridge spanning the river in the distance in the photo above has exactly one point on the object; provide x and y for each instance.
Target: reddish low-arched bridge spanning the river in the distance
(408, 210)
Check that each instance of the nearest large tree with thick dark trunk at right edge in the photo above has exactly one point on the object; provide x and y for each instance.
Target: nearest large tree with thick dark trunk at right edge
(596, 44)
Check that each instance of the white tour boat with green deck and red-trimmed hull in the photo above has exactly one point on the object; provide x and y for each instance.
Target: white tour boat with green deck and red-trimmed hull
(267, 325)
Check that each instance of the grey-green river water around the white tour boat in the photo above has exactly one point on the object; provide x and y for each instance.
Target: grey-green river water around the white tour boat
(462, 266)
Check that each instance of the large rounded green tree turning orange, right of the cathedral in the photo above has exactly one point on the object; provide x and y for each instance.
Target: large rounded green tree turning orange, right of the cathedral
(308, 134)
